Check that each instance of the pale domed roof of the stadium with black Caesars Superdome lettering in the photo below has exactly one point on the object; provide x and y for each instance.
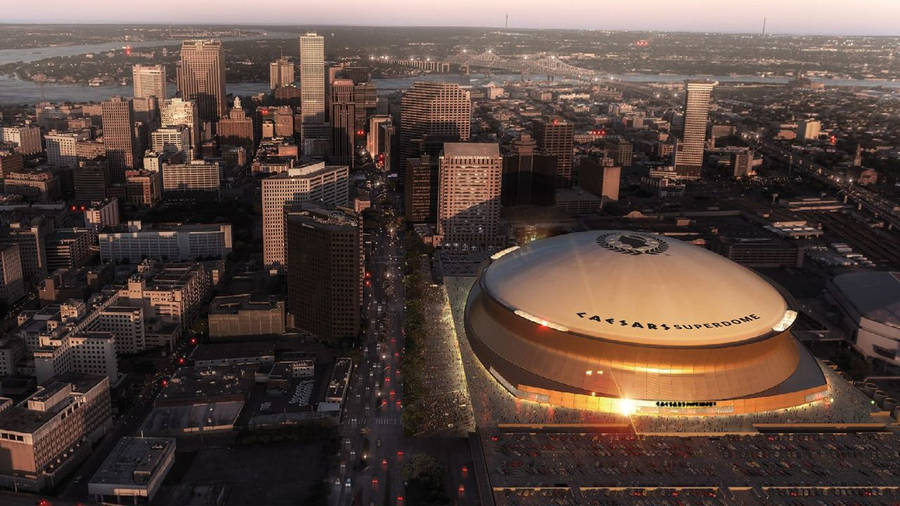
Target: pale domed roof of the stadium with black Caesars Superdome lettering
(636, 288)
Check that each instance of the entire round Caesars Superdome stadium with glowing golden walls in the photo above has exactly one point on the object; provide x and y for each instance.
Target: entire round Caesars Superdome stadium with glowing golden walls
(637, 323)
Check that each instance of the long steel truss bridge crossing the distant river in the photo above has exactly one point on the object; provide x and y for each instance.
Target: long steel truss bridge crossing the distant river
(526, 64)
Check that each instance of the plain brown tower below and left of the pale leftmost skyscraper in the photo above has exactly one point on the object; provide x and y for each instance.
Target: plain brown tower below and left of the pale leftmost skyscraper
(118, 137)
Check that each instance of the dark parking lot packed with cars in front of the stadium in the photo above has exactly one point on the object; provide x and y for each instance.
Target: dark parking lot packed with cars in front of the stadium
(629, 460)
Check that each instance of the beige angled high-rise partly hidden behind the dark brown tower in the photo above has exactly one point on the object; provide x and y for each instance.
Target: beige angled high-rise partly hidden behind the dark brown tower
(324, 185)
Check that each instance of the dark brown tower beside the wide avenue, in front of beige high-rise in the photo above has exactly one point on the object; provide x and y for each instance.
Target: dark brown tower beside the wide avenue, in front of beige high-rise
(325, 271)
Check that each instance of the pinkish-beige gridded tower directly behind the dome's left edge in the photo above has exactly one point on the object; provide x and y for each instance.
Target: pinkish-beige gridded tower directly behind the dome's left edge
(469, 196)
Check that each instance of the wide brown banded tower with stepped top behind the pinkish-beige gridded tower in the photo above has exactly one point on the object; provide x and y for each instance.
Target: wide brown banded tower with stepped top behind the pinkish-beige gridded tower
(431, 114)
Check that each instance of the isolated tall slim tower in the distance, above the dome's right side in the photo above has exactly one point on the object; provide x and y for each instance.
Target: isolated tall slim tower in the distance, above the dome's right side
(689, 150)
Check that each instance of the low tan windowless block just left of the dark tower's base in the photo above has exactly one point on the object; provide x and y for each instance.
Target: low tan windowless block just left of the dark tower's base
(245, 315)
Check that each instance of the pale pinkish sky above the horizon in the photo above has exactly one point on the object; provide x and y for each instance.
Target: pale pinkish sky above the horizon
(838, 17)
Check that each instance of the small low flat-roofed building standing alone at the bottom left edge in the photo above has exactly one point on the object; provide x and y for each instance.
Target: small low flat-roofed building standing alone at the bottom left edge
(133, 471)
